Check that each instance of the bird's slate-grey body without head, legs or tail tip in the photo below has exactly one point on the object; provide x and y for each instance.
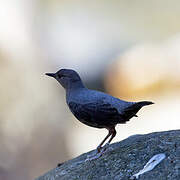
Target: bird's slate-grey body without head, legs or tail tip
(99, 109)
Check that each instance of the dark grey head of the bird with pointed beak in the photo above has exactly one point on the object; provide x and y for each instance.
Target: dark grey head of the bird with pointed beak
(67, 78)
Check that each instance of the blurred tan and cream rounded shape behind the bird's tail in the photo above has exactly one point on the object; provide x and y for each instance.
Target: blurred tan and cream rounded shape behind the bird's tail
(146, 70)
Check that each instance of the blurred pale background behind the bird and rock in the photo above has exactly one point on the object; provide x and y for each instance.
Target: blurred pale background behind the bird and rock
(129, 49)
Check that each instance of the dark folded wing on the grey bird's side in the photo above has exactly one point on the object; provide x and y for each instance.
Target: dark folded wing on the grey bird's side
(95, 110)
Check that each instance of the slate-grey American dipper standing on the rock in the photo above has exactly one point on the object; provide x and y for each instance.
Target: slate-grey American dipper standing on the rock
(95, 108)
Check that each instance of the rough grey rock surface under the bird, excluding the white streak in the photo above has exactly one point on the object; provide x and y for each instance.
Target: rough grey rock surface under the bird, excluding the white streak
(125, 159)
